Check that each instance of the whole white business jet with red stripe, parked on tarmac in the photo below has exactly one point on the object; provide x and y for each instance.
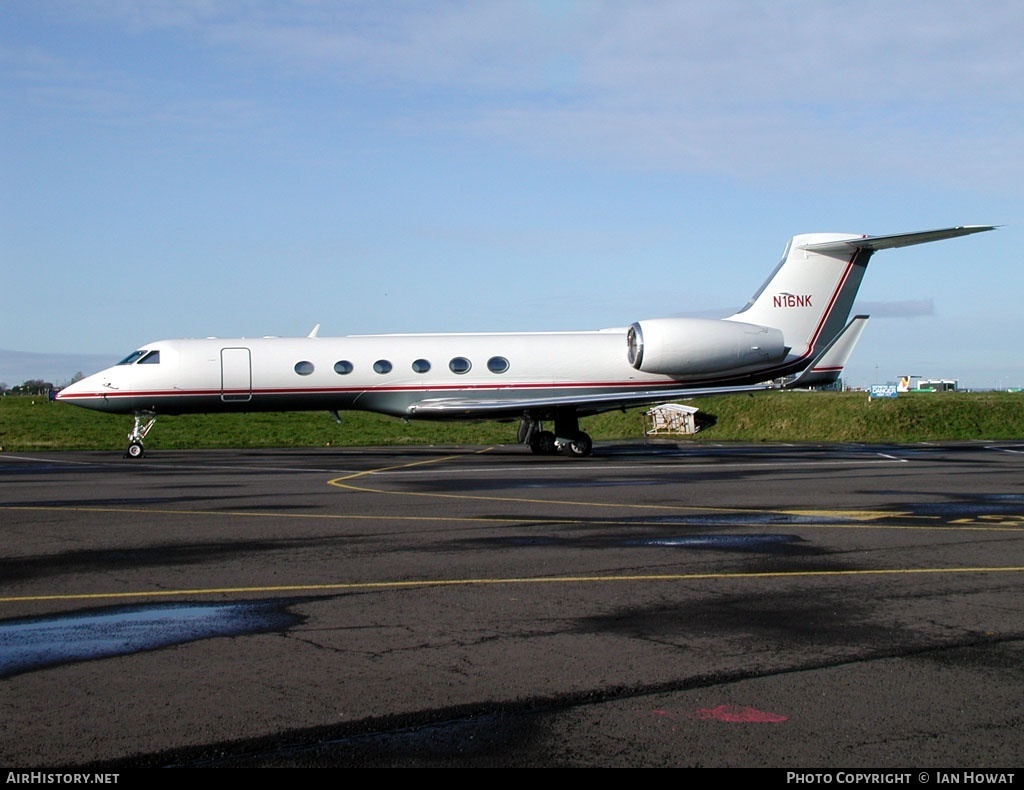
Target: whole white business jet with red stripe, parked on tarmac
(795, 324)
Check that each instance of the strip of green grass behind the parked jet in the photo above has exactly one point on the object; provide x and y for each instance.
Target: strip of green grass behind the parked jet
(33, 424)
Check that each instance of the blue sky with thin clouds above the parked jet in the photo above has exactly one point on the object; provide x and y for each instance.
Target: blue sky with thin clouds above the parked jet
(177, 170)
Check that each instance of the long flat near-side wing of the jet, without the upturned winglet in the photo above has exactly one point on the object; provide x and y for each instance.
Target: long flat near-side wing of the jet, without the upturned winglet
(492, 408)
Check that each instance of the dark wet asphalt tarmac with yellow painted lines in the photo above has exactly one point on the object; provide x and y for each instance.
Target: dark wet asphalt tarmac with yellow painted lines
(802, 607)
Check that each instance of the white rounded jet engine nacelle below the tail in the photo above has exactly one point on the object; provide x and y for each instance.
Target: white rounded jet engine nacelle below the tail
(693, 347)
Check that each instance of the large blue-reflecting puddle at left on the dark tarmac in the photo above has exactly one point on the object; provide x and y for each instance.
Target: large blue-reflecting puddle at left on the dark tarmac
(38, 643)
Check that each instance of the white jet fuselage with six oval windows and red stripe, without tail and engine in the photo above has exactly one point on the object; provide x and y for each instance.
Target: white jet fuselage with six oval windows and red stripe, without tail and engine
(391, 375)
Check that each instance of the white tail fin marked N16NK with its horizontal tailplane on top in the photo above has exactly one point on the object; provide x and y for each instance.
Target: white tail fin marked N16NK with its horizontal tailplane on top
(810, 295)
